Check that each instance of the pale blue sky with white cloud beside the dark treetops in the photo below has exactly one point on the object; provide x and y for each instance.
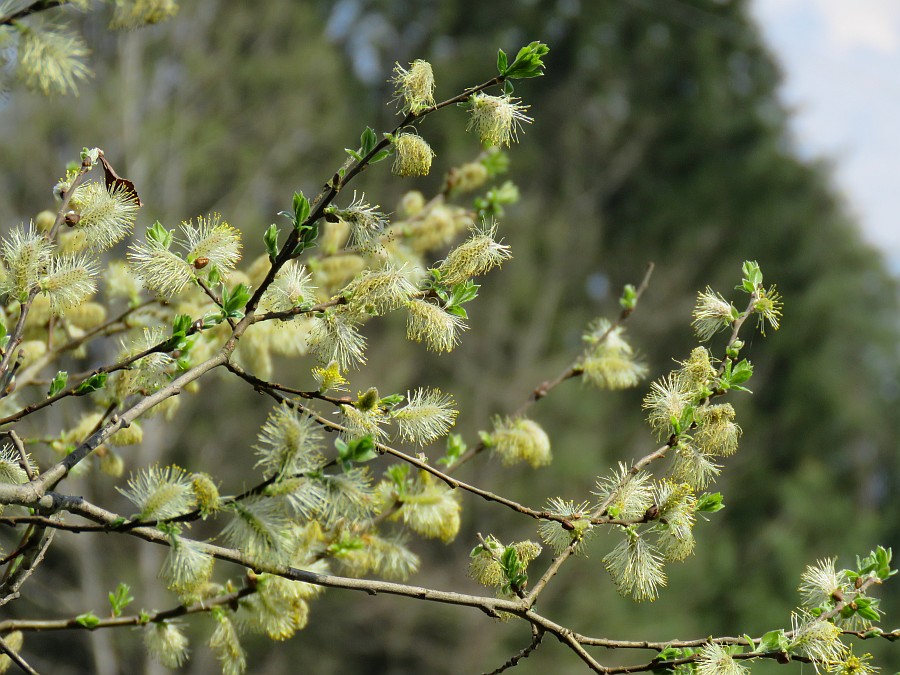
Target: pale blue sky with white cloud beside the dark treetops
(841, 60)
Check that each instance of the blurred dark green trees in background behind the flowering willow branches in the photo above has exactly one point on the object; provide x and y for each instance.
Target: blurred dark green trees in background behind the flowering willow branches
(658, 135)
